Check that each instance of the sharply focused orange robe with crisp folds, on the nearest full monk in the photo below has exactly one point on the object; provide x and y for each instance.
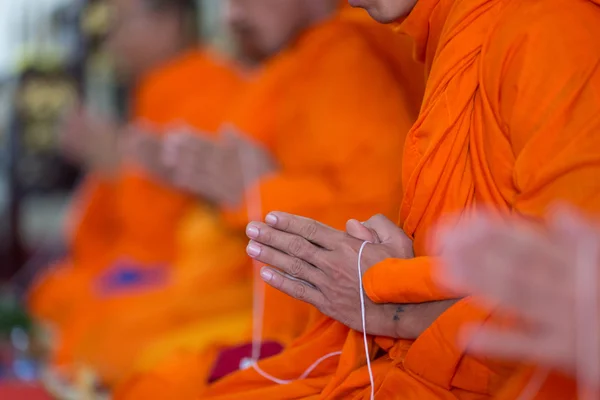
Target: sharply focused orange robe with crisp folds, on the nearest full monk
(509, 120)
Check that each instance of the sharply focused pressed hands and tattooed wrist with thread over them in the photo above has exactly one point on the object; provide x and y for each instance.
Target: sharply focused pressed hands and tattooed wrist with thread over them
(318, 265)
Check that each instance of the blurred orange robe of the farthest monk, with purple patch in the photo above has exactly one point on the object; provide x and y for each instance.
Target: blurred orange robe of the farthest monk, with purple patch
(137, 219)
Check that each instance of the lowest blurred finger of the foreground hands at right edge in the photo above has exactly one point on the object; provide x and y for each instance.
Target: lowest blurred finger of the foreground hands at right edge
(510, 345)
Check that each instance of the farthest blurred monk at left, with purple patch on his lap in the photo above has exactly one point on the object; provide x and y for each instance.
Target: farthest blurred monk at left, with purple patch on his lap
(121, 284)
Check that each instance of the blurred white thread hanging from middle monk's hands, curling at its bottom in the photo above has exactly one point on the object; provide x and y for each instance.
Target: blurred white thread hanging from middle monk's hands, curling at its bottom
(254, 212)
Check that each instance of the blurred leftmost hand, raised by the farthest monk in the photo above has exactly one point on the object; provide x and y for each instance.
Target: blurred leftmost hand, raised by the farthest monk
(92, 142)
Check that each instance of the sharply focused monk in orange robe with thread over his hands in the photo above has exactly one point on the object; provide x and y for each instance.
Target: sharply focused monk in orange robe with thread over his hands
(497, 128)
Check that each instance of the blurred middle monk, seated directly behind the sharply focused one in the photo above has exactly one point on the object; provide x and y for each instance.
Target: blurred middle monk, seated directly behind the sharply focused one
(309, 137)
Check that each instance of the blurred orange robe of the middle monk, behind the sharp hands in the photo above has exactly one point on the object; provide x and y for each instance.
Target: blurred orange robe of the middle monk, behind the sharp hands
(336, 140)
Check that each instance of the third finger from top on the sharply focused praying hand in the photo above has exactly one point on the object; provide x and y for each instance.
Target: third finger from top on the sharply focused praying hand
(292, 266)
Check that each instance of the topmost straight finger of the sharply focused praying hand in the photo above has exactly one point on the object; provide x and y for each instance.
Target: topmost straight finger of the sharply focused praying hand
(311, 230)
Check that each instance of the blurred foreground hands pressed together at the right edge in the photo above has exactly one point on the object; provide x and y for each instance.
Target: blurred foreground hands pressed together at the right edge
(532, 274)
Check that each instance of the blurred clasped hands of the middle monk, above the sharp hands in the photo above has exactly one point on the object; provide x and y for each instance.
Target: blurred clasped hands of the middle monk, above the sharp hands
(217, 170)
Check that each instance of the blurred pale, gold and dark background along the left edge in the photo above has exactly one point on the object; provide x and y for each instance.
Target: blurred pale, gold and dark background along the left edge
(51, 54)
